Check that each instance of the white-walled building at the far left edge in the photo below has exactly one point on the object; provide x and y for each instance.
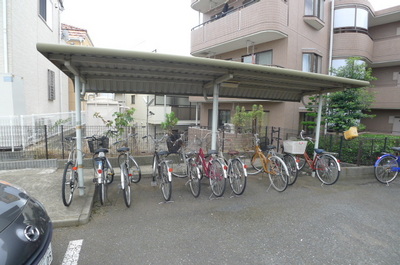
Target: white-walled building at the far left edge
(29, 83)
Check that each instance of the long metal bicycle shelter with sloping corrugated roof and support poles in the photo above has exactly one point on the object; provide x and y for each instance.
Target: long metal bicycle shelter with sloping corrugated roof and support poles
(100, 70)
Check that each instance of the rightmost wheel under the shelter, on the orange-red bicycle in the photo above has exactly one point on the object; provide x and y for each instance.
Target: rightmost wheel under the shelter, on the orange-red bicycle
(327, 169)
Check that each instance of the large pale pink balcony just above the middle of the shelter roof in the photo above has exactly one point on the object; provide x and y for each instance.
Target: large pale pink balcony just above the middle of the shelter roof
(261, 22)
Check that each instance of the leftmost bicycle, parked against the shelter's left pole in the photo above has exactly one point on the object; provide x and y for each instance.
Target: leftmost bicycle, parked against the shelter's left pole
(70, 174)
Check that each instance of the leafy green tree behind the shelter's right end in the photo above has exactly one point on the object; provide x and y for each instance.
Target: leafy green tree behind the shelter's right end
(346, 108)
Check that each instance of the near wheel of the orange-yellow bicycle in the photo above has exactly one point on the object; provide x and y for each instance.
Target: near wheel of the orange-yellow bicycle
(278, 173)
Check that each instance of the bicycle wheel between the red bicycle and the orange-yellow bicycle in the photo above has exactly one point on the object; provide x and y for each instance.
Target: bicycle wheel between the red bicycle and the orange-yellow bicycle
(237, 176)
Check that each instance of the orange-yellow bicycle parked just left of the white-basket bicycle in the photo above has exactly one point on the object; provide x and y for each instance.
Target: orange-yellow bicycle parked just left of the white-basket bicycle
(271, 164)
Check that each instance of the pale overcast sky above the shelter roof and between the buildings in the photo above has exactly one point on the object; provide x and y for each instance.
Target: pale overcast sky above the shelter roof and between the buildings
(146, 25)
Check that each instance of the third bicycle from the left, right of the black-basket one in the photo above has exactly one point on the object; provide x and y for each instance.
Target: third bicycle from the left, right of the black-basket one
(130, 170)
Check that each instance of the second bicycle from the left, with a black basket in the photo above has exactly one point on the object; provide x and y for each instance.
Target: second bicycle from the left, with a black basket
(104, 172)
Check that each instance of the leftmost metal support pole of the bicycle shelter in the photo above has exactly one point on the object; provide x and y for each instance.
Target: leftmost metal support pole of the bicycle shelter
(78, 130)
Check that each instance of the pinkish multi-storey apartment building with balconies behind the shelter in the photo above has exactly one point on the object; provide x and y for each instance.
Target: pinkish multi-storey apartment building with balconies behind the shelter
(305, 35)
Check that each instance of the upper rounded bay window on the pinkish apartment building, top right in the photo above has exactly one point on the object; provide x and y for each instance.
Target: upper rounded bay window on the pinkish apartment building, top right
(354, 19)
